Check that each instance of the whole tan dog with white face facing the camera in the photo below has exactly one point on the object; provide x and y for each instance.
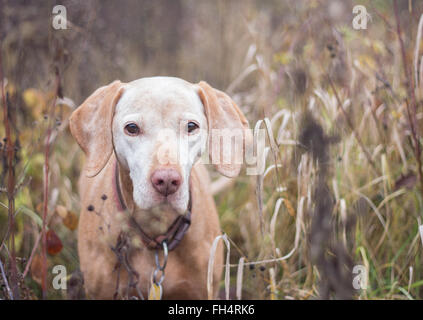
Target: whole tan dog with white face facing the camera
(142, 142)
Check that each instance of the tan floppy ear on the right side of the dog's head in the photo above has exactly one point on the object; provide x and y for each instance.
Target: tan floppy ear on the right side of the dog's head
(225, 120)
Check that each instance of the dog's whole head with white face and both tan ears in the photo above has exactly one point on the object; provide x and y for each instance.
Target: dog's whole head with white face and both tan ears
(158, 128)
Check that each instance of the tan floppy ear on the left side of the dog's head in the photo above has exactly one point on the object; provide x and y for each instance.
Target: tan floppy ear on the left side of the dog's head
(91, 126)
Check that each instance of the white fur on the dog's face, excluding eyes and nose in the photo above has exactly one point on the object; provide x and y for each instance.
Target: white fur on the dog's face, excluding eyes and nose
(161, 107)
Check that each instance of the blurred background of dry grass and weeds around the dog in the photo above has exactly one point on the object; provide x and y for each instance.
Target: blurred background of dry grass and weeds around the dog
(336, 213)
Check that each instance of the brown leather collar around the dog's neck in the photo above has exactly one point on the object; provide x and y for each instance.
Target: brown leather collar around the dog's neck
(173, 236)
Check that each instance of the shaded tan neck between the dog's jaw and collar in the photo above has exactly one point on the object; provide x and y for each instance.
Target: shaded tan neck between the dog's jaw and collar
(155, 221)
